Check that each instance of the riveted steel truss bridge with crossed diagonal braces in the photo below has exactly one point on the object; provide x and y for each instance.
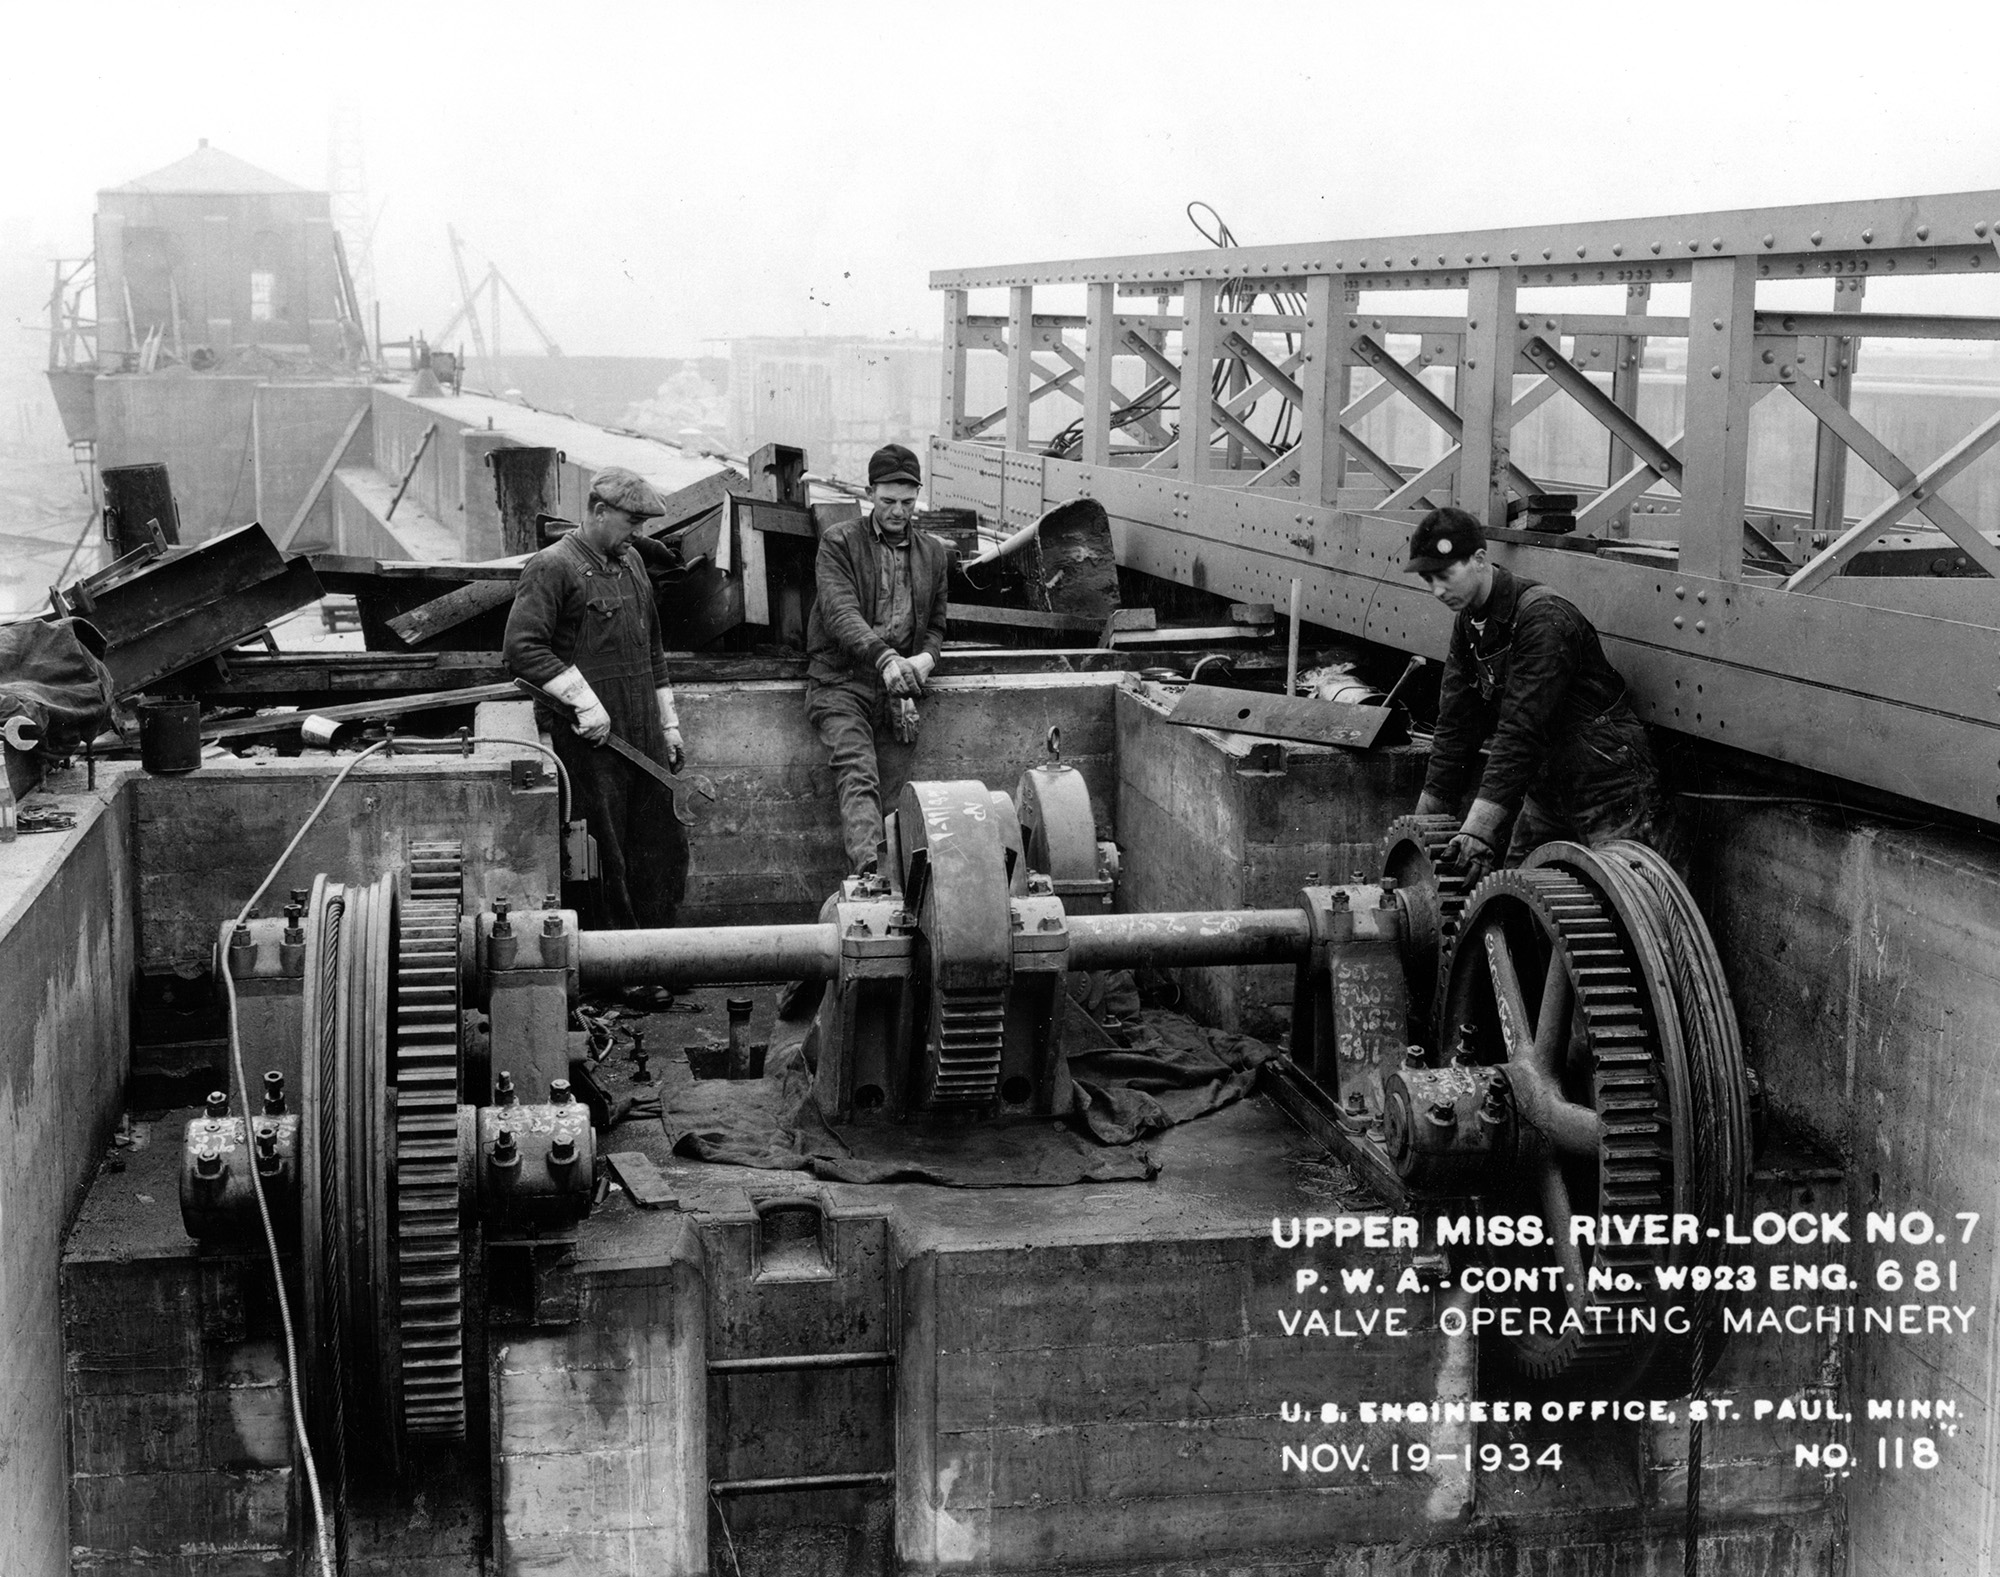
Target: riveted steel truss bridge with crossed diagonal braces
(1237, 463)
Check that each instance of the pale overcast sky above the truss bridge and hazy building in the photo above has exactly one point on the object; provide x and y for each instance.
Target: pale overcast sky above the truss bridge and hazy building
(661, 175)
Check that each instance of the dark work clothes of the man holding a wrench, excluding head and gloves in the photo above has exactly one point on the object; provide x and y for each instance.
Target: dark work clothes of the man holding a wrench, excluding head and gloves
(579, 607)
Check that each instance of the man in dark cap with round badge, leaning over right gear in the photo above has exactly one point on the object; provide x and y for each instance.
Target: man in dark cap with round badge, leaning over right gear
(1567, 755)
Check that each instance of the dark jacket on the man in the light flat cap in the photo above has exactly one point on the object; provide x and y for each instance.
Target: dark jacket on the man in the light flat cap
(577, 607)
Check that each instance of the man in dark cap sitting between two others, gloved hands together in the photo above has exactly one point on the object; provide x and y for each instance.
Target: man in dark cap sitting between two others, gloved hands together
(873, 641)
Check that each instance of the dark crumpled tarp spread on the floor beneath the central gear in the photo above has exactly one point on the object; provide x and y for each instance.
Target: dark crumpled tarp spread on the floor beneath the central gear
(1171, 1074)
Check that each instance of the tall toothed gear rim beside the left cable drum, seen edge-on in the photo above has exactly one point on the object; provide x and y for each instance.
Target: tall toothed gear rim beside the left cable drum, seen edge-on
(429, 1232)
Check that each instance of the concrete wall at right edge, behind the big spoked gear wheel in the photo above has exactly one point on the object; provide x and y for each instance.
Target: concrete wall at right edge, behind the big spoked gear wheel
(1867, 976)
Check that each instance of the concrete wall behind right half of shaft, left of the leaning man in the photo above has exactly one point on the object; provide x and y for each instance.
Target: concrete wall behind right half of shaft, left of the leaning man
(1203, 830)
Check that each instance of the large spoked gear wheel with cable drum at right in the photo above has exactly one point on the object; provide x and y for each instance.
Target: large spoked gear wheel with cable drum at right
(1591, 978)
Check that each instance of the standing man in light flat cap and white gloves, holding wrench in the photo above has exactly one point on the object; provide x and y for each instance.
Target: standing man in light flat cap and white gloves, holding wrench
(587, 629)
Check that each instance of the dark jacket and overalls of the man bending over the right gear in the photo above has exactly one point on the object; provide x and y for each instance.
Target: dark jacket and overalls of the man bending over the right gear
(1531, 681)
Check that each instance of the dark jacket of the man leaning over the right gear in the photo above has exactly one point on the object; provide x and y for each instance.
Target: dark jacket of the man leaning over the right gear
(1533, 687)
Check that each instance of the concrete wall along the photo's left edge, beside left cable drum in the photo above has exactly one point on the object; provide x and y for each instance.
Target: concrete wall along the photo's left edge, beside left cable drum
(65, 1026)
